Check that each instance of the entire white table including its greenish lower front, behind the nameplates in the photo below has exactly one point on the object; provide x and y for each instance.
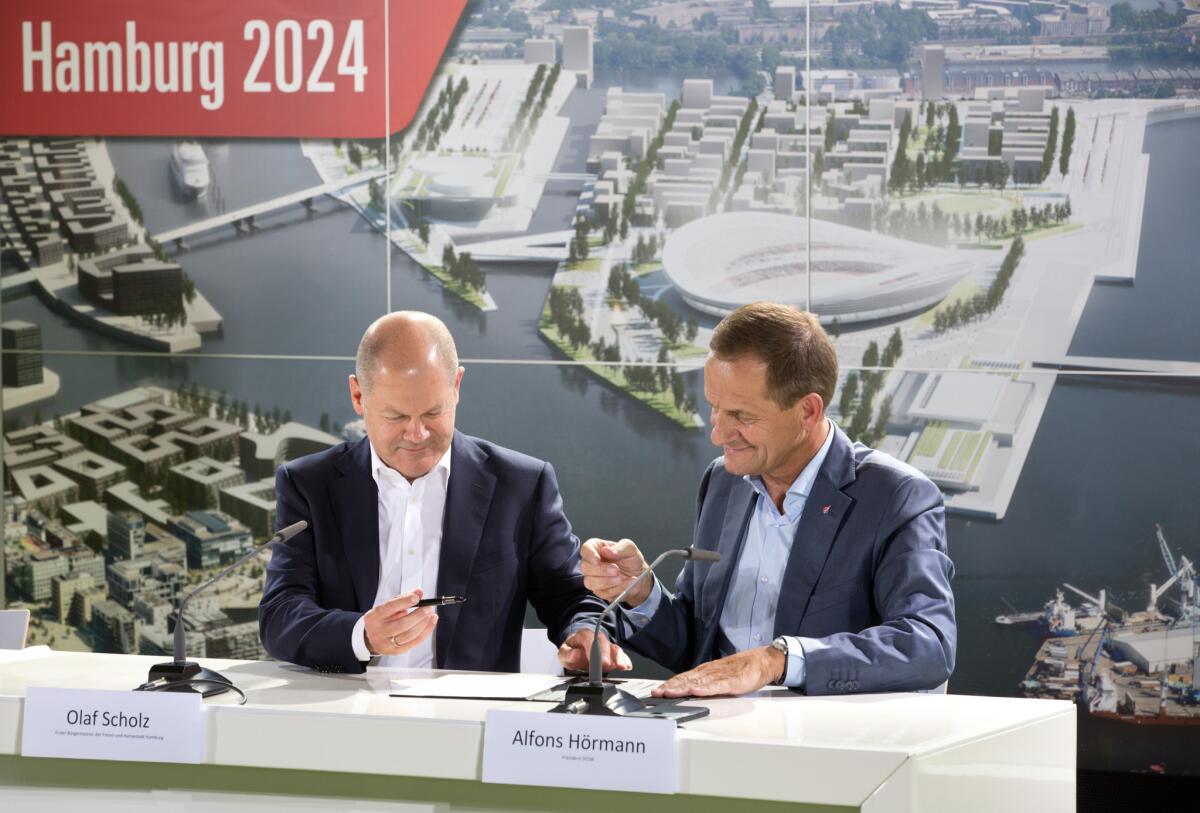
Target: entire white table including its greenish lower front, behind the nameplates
(875, 754)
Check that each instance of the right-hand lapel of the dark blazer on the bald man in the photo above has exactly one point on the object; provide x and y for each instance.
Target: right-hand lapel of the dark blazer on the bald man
(469, 498)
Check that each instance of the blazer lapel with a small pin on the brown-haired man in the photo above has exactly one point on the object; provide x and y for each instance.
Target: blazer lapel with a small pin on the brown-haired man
(815, 534)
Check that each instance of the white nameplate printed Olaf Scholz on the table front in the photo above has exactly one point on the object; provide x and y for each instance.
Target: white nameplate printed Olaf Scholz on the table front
(152, 727)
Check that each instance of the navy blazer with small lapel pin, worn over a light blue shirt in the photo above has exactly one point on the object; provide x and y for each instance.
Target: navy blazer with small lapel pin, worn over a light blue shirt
(868, 575)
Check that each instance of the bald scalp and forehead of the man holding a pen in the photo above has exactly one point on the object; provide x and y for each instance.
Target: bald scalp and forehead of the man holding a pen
(405, 341)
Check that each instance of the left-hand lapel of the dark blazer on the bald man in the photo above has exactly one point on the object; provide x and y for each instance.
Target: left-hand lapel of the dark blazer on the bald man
(356, 503)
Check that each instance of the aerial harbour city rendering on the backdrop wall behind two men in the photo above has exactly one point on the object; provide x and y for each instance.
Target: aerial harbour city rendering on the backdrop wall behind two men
(986, 203)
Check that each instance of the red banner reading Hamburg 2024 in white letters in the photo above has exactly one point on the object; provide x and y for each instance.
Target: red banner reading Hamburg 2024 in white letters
(286, 69)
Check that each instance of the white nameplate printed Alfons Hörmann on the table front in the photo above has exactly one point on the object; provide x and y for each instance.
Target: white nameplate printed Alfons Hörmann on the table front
(580, 751)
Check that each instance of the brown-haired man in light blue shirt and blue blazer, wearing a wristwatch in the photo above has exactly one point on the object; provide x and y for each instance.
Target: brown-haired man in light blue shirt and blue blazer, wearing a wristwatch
(835, 575)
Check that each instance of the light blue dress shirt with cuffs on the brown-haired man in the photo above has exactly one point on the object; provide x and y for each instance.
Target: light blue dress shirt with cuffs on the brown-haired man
(748, 619)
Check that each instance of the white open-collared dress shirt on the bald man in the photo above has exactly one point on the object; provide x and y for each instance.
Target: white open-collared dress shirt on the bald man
(410, 547)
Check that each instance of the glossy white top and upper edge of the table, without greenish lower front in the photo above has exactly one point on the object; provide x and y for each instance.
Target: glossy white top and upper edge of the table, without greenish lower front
(878, 752)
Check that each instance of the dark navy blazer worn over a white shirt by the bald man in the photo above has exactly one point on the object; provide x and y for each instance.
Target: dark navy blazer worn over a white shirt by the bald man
(505, 540)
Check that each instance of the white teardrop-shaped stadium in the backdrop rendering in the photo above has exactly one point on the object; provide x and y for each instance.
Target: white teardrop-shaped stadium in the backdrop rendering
(723, 262)
